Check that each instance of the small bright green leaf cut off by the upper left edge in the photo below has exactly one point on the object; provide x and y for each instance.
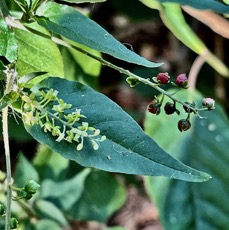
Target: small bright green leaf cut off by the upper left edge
(8, 42)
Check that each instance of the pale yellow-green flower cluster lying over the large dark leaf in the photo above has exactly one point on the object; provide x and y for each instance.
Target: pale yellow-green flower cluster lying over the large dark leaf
(54, 116)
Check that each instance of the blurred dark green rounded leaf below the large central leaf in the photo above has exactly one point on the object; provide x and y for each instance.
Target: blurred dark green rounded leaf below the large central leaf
(102, 196)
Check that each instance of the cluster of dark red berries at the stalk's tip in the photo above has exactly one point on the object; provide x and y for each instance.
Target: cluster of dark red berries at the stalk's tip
(154, 106)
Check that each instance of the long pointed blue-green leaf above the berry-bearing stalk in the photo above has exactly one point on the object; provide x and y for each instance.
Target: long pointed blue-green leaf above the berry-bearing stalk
(68, 22)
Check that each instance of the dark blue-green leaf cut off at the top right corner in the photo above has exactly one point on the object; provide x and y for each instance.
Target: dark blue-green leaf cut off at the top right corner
(203, 4)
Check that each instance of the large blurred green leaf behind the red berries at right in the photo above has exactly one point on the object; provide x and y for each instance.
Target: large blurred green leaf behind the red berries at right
(188, 206)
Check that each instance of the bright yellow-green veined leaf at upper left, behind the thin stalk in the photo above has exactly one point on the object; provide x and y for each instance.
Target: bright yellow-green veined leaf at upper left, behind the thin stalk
(37, 54)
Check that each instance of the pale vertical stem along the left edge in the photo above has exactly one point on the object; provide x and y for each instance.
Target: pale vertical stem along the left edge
(8, 166)
